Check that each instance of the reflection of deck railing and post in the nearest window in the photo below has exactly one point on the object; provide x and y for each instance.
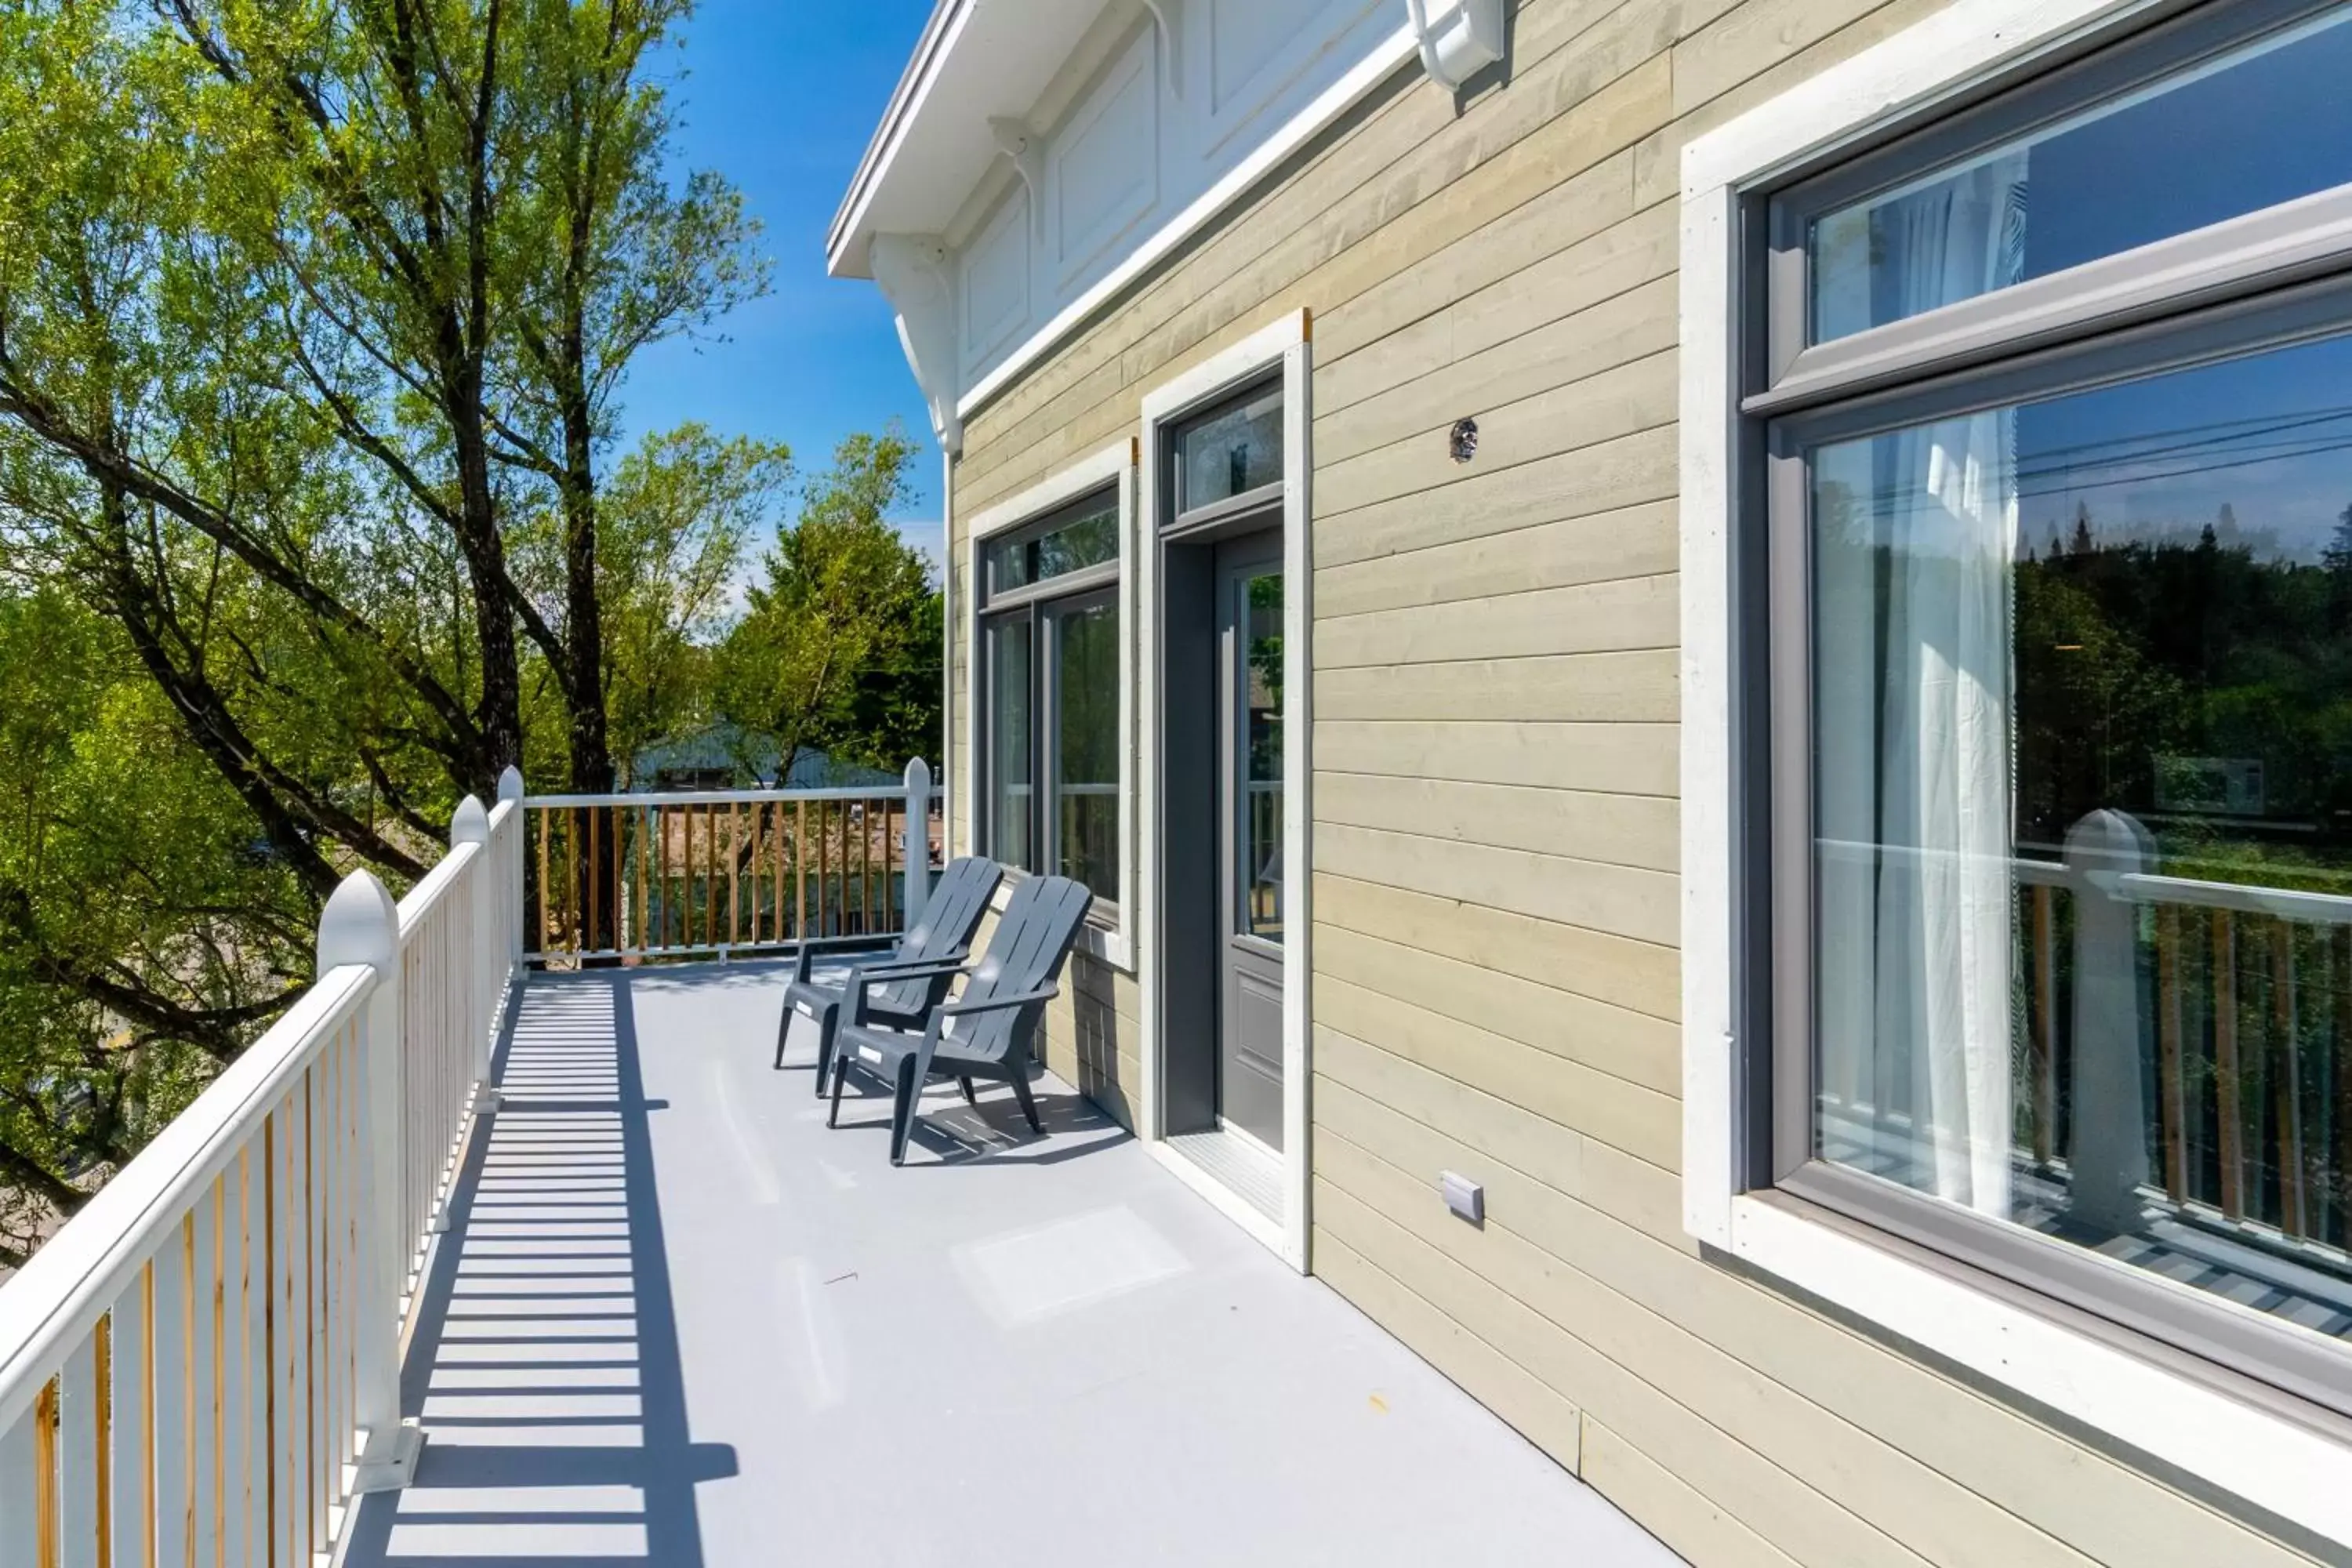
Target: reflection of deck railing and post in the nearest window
(2181, 1073)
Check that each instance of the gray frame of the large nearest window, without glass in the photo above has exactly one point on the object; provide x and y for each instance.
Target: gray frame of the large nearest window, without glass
(2240, 288)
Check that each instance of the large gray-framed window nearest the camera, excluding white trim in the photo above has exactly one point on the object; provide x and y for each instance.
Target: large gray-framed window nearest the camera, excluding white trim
(2052, 608)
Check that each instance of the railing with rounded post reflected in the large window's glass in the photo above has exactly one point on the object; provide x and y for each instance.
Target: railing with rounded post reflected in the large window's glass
(2224, 1003)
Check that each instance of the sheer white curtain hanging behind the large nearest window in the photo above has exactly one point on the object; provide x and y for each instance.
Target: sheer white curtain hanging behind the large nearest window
(1916, 537)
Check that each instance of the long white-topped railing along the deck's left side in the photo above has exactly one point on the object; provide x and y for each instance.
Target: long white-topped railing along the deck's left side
(203, 1367)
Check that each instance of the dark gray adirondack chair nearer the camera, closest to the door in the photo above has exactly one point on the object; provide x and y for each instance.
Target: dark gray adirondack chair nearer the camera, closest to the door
(989, 1028)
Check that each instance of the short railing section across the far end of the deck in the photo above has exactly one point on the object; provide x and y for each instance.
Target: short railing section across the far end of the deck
(723, 873)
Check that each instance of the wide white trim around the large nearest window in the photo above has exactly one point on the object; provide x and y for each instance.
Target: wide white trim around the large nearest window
(2266, 1459)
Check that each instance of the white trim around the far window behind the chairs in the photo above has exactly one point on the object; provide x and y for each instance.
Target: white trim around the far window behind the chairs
(1107, 467)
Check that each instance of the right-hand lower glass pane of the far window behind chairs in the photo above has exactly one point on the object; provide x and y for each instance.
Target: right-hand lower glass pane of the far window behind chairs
(1088, 746)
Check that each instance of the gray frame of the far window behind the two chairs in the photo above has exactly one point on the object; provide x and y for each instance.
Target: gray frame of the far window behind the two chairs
(1043, 605)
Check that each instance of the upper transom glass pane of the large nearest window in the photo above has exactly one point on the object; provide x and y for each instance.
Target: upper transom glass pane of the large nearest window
(2214, 142)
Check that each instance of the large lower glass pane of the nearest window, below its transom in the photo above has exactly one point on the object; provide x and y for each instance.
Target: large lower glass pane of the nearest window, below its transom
(2083, 845)
